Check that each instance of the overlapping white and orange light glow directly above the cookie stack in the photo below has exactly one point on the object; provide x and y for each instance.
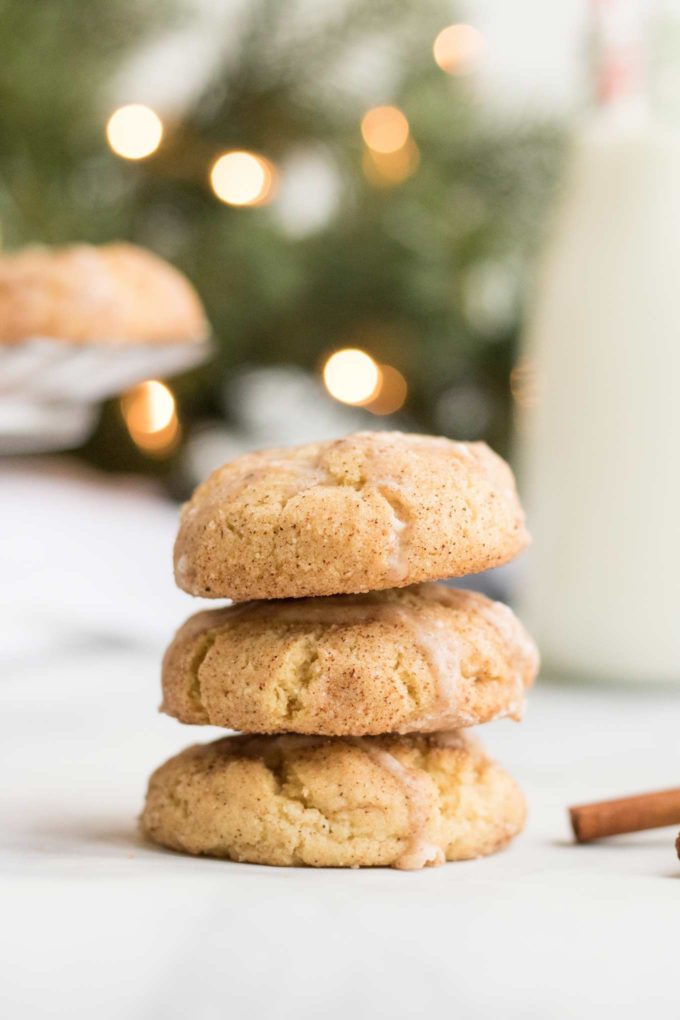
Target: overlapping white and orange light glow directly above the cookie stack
(353, 377)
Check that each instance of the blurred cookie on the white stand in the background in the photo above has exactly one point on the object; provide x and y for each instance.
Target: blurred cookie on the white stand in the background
(116, 293)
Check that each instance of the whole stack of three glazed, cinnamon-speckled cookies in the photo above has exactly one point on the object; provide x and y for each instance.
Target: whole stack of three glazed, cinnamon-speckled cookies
(351, 675)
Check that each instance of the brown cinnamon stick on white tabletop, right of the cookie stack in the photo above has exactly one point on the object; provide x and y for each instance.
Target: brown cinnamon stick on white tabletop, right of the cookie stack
(629, 814)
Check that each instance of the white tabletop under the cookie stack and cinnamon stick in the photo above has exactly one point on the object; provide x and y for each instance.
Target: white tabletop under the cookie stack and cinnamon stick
(95, 924)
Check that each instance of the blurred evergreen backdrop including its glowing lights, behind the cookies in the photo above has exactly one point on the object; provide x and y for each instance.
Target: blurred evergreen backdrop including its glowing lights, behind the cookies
(331, 177)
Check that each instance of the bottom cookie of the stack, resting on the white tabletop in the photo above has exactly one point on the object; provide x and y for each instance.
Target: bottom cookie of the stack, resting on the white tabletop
(402, 802)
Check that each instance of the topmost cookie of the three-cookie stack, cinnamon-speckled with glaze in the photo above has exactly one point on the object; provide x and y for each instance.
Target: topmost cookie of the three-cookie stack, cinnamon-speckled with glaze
(371, 512)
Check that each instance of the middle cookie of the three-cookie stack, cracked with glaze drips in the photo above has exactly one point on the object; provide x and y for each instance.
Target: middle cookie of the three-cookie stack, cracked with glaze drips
(403, 660)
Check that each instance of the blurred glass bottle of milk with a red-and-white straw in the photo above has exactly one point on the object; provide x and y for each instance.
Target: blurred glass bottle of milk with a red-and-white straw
(600, 452)
